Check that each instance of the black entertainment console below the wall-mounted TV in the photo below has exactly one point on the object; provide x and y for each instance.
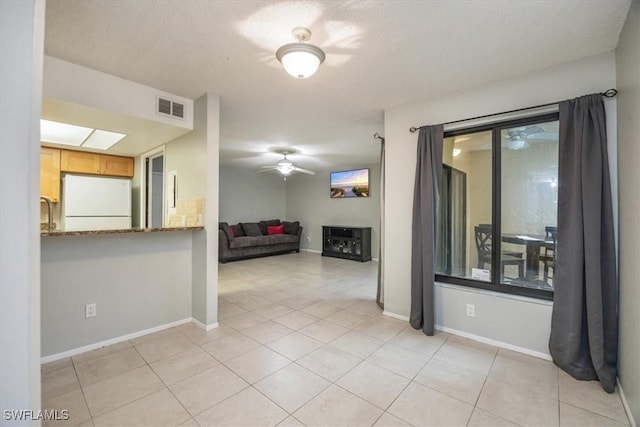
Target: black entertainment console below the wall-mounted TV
(347, 242)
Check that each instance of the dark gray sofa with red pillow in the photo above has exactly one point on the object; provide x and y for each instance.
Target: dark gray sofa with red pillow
(253, 239)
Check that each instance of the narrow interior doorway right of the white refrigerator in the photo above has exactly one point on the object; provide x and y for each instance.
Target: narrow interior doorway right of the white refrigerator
(154, 190)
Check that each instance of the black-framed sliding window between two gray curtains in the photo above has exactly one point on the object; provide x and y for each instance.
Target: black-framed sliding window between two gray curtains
(500, 180)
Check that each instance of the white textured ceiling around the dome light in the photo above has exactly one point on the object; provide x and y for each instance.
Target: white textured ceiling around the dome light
(379, 54)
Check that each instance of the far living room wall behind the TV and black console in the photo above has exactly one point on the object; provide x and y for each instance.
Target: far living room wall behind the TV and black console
(308, 201)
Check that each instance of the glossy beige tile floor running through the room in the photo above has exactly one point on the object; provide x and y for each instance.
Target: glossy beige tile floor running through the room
(302, 342)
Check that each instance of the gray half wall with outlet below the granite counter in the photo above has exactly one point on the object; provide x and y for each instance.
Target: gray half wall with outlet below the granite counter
(138, 281)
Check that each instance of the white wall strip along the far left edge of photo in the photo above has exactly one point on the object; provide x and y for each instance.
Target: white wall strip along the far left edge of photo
(21, 47)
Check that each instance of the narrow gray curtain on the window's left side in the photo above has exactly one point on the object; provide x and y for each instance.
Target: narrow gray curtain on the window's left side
(423, 236)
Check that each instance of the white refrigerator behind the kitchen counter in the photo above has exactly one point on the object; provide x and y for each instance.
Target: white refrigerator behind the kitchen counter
(95, 203)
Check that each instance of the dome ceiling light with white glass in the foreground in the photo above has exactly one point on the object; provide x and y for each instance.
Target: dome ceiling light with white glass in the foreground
(300, 59)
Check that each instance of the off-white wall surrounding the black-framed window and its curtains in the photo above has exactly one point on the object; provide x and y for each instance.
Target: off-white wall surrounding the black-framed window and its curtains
(568, 80)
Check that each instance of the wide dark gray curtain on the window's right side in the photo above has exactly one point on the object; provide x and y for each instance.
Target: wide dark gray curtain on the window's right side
(584, 324)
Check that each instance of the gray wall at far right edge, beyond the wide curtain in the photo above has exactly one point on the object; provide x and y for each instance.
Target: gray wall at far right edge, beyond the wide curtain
(628, 82)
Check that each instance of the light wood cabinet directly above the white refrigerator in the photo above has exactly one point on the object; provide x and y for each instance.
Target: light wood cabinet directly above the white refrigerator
(95, 164)
